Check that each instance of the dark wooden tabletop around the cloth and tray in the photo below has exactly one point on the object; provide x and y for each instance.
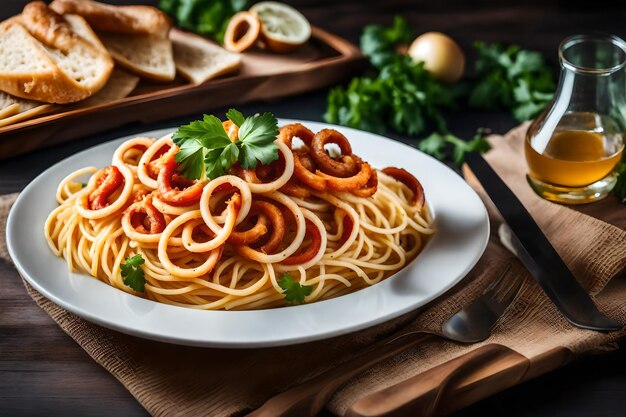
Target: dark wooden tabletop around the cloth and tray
(43, 372)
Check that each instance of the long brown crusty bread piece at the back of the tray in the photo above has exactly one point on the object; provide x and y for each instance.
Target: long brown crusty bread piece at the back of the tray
(136, 20)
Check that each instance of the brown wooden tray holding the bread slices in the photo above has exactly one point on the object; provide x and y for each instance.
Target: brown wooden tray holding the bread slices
(325, 60)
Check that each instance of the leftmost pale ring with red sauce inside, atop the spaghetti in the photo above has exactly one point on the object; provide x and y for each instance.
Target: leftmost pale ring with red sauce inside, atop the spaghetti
(84, 201)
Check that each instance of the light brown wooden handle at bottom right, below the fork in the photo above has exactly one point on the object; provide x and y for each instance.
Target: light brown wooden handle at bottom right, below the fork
(447, 387)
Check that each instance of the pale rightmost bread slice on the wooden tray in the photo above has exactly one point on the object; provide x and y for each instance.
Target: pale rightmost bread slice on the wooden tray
(199, 59)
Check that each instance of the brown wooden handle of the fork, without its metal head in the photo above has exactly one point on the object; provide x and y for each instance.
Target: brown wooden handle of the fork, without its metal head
(309, 397)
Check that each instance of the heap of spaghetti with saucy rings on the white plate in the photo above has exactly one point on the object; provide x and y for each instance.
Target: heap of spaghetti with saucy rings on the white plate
(331, 223)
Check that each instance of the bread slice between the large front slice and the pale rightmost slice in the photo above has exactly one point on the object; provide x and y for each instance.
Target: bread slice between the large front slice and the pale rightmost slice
(145, 55)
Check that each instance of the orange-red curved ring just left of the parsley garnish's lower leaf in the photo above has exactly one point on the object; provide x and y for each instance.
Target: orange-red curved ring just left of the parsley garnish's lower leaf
(170, 193)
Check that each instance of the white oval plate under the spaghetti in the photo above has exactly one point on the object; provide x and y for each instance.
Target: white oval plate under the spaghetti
(460, 217)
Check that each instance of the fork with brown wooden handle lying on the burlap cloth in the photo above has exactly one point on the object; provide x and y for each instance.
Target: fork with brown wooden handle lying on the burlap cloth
(471, 324)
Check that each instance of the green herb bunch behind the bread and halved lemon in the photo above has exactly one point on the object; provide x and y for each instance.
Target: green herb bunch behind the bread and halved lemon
(205, 17)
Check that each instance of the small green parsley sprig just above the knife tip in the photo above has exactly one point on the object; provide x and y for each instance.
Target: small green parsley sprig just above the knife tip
(436, 145)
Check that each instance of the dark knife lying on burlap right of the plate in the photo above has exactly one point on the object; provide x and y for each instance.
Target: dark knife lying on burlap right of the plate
(538, 255)
